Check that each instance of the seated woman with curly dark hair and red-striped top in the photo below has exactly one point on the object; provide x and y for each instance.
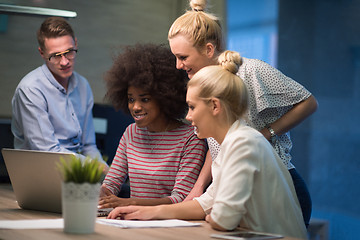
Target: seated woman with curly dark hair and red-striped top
(159, 153)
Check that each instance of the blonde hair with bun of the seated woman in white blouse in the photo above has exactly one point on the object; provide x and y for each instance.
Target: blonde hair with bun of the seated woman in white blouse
(221, 81)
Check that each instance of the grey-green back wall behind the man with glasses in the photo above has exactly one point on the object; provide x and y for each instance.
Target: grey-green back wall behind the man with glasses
(101, 27)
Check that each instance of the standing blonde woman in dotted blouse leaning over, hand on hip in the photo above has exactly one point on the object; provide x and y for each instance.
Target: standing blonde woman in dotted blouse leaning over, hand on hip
(277, 103)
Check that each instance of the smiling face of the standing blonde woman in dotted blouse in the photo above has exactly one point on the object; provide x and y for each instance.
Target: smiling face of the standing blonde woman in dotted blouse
(188, 57)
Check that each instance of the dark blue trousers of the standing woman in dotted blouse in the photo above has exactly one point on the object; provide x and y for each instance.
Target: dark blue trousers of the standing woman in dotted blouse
(303, 195)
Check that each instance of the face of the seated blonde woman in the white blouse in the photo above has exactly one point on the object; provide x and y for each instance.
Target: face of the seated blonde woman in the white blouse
(199, 114)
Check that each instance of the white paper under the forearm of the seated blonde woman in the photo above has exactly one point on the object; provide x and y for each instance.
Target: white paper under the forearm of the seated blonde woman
(147, 224)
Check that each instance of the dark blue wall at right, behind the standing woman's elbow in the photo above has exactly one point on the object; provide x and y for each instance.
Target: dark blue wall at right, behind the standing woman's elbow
(319, 45)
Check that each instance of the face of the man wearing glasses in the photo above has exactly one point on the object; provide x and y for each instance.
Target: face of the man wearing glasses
(62, 70)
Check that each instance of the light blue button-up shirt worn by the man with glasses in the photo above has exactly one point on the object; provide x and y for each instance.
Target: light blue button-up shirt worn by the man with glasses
(46, 117)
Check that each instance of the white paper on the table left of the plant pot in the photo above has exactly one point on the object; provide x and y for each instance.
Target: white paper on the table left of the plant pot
(32, 224)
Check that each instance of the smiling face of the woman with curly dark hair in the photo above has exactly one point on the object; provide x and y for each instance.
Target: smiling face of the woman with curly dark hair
(145, 110)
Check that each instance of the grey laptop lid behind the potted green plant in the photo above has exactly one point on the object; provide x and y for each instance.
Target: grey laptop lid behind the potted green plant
(34, 178)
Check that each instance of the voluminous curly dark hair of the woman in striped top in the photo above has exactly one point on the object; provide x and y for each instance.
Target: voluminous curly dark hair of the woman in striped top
(152, 68)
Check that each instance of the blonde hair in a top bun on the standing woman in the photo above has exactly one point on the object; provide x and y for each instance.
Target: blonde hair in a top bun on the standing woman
(199, 26)
